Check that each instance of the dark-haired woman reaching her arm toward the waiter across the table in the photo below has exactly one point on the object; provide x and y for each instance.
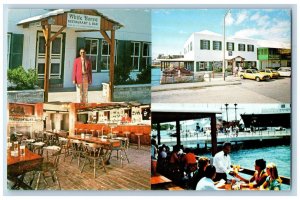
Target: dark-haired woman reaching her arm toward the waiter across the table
(259, 175)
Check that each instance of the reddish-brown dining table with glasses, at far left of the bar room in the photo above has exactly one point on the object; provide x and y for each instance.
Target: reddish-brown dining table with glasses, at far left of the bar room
(18, 166)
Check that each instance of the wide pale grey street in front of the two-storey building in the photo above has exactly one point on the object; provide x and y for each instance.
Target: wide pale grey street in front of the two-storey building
(249, 91)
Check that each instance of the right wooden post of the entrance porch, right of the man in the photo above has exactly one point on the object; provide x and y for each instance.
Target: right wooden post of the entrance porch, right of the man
(112, 65)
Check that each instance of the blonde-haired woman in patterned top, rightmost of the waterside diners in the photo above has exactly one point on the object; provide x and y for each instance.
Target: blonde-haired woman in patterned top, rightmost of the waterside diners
(273, 181)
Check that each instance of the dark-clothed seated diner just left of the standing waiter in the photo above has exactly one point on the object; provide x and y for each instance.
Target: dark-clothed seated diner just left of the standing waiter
(203, 162)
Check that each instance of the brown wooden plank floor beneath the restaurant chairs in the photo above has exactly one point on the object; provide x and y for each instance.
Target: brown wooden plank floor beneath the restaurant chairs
(133, 176)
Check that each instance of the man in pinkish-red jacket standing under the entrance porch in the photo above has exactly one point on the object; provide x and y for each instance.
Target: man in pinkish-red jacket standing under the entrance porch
(82, 76)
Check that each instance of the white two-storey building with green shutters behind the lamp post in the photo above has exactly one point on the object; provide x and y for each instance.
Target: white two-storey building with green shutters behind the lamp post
(205, 51)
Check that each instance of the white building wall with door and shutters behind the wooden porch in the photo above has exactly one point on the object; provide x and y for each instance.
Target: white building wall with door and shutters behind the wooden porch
(26, 45)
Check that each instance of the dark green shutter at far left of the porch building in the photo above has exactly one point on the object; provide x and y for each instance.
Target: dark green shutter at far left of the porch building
(16, 50)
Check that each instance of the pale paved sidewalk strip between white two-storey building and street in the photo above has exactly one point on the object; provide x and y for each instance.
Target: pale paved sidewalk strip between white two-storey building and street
(229, 80)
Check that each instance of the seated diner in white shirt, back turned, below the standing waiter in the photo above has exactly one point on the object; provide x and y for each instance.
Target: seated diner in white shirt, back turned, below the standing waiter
(207, 183)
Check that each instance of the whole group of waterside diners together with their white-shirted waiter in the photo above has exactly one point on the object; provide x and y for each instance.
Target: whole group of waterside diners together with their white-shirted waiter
(199, 173)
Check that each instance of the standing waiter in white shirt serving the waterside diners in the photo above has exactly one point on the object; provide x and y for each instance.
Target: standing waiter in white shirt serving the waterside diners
(222, 162)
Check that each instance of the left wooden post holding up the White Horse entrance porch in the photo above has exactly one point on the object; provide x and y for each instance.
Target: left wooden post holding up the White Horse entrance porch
(47, 32)
